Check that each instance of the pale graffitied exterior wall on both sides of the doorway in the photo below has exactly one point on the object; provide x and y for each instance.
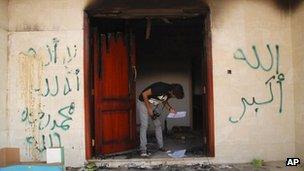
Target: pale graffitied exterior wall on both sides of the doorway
(254, 106)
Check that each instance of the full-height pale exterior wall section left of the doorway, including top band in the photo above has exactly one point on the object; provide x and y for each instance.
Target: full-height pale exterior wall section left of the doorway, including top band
(46, 101)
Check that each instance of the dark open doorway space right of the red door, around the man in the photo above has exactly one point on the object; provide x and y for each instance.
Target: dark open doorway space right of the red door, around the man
(173, 52)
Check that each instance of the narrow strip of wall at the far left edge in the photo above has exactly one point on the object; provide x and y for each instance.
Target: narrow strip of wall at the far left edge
(3, 72)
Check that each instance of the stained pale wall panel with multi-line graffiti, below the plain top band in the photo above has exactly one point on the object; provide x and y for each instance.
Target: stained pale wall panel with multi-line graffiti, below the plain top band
(46, 97)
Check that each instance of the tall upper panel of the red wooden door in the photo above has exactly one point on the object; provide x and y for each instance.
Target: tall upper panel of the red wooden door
(115, 70)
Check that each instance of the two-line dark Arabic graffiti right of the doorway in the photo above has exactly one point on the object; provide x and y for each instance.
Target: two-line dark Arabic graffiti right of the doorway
(239, 55)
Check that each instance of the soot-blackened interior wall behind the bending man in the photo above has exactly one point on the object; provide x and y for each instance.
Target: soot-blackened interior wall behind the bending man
(166, 56)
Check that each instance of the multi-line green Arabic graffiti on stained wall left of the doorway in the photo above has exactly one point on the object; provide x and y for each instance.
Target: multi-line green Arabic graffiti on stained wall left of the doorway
(54, 76)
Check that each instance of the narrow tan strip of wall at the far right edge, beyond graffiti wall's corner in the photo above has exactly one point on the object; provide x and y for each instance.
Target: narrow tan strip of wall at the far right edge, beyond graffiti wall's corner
(298, 64)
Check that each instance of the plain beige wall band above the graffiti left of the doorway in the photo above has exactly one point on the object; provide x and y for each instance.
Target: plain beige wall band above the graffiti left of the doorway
(47, 15)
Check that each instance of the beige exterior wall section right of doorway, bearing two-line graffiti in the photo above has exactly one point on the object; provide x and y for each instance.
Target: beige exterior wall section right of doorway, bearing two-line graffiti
(262, 130)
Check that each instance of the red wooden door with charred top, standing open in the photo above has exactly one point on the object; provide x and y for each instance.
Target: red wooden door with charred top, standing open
(114, 92)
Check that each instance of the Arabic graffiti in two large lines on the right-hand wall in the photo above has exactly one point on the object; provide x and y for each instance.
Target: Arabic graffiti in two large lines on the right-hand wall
(276, 78)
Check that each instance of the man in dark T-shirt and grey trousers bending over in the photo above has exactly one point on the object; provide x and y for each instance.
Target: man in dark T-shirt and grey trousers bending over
(146, 104)
